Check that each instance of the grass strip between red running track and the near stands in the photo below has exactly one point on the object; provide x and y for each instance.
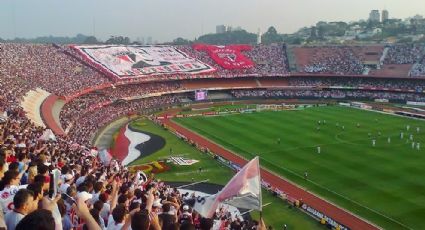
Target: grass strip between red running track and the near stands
(276, 214)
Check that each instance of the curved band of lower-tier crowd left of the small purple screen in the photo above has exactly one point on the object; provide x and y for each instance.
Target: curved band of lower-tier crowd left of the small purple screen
(89, 102)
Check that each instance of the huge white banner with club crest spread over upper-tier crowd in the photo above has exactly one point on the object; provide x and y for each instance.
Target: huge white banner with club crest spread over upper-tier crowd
(137, 61)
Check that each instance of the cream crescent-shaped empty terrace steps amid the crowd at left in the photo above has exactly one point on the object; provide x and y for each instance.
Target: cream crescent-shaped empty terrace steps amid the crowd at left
(32, 103)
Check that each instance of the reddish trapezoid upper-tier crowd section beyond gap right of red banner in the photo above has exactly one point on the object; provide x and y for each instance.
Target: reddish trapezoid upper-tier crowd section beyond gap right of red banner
(335, 60)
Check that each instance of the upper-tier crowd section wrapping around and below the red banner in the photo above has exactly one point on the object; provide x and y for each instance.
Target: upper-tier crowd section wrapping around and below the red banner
(270, 60)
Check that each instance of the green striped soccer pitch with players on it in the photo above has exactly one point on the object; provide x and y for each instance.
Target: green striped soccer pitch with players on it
(382, 183)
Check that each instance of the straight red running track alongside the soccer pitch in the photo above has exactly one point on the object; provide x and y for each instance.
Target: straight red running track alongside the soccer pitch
(338, 214)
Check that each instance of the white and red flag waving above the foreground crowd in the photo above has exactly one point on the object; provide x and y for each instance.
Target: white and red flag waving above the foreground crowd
(242, 191)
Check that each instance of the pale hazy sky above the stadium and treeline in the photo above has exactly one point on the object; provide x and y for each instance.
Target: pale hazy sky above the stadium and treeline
(165, 20)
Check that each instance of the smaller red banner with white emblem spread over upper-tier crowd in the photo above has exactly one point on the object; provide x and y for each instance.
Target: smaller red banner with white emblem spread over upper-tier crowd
(228, 57)
